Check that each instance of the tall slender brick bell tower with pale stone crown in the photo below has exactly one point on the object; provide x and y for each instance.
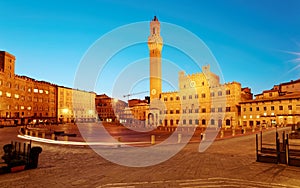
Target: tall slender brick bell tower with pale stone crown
(155, 44)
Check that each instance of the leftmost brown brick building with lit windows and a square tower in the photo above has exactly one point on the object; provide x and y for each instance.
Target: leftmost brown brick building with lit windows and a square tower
(23, 99)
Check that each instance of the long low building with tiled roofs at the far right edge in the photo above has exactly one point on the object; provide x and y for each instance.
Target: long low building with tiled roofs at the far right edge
(278, 106)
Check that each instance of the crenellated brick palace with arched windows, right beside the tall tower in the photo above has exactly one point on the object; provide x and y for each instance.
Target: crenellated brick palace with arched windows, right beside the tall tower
(203, 101)
